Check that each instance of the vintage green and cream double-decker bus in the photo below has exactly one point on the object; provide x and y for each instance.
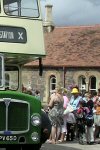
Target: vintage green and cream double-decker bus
(21, 41)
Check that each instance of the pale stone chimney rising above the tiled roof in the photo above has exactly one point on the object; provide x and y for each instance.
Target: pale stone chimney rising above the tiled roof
(48, 22)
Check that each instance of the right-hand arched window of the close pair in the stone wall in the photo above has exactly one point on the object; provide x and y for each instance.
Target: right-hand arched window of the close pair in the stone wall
(92, 83)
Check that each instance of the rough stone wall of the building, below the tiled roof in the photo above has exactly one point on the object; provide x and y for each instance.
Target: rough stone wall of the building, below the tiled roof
(31, 77)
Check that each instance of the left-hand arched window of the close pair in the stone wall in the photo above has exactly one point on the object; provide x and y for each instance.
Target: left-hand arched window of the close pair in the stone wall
(82, 83)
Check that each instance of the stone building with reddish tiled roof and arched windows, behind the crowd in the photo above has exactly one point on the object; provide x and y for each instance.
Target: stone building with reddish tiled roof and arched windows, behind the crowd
(72, 57)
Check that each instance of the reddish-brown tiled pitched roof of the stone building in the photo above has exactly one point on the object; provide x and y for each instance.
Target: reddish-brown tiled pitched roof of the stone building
(72, 47)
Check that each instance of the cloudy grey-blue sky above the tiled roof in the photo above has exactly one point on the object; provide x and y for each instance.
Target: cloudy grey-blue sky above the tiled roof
(74, 12)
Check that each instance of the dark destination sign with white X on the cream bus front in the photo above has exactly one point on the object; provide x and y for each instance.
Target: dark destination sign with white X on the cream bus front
(12, 34)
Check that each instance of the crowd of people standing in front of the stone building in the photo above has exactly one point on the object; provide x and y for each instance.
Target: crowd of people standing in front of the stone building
(74, 118)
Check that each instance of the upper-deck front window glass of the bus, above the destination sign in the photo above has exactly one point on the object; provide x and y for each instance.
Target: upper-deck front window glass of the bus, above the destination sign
(24, 8)
